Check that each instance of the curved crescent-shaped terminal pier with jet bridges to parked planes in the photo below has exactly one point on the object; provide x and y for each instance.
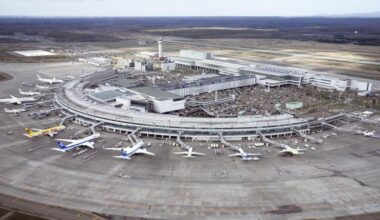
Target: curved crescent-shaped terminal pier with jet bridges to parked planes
(73, 101)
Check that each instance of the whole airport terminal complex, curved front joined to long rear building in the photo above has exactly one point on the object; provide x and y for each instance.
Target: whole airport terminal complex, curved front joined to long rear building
(124, 105)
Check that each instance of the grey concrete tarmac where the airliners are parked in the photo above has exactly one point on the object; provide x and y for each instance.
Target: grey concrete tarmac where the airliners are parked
(340, 178)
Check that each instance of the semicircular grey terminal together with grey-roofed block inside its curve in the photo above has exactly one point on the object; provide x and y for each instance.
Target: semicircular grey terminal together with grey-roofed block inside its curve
(74, 100)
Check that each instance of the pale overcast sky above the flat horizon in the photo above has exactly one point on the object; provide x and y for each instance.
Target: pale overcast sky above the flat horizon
(186, 7)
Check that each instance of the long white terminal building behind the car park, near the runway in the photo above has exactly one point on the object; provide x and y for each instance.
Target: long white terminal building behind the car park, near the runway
(267, 75)
